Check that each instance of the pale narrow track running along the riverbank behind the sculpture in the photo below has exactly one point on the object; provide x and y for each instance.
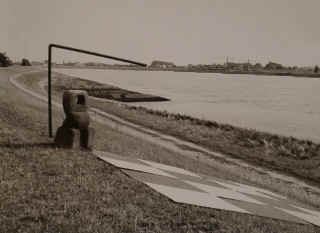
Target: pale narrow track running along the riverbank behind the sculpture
(197, 153)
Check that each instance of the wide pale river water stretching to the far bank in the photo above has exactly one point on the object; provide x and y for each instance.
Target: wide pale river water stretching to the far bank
(283, 105)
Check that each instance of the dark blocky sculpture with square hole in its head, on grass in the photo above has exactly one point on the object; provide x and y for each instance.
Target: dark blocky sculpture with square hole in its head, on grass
(75, 131)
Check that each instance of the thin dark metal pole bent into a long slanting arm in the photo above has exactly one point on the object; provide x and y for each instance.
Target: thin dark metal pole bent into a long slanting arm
(79, 51)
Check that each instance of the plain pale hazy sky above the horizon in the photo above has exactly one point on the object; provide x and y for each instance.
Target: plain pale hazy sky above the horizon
(180, 31)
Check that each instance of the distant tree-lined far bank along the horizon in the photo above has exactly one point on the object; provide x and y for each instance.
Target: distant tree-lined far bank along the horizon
(271, 68)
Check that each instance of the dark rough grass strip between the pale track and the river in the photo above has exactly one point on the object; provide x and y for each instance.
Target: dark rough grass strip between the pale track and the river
(286, 154)
